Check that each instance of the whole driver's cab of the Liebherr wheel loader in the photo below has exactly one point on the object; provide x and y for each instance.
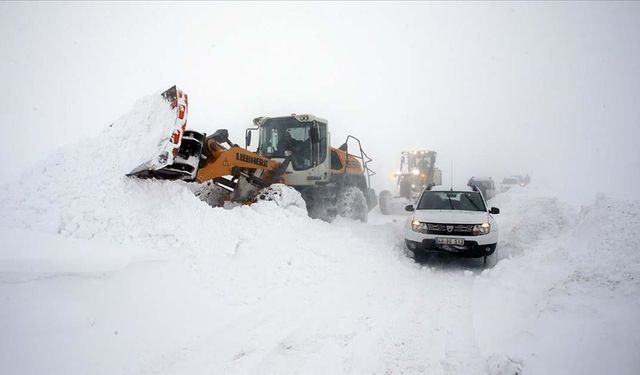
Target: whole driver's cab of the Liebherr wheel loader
(305, 138)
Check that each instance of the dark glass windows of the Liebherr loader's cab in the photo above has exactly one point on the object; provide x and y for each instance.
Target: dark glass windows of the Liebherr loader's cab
(278, 135)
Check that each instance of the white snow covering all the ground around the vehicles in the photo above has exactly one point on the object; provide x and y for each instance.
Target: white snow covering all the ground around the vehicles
(101, 274)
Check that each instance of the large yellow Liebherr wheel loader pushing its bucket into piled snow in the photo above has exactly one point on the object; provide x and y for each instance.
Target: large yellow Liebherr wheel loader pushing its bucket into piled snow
(292, 150)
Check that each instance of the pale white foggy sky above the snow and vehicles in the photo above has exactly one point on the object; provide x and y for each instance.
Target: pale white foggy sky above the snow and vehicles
(549, 89)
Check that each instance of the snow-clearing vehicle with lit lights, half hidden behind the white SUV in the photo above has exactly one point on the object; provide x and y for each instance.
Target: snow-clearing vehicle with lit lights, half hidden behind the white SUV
(417, 171)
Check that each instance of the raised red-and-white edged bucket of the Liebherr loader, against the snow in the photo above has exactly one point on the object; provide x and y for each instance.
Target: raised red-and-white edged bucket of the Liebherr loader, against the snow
(179, 153)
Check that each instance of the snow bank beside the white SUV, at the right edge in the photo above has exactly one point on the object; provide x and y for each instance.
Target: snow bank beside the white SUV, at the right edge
(566, 298)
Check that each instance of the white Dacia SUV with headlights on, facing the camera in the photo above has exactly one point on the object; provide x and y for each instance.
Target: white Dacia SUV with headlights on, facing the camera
(451, 221)
